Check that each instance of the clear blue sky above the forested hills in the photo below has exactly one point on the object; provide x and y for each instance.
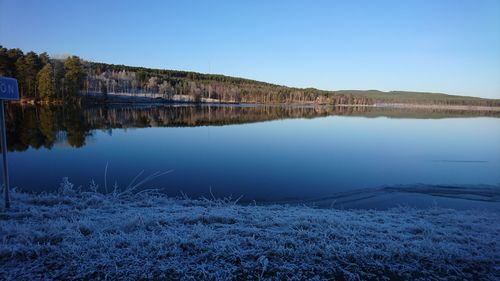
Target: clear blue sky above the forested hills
(449, 46)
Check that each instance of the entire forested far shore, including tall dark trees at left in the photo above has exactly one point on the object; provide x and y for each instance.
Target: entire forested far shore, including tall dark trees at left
(43, 78)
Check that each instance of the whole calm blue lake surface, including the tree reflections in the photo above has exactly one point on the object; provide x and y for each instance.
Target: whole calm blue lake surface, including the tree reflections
(265, 153)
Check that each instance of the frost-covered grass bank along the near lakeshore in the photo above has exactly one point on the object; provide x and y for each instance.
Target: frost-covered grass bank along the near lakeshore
(88, 236)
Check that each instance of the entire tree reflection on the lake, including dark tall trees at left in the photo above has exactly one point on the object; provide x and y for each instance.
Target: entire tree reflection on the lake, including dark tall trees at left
(44, 126)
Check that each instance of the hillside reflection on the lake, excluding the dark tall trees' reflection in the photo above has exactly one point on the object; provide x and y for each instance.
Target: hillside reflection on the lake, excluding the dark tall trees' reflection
(172, 116)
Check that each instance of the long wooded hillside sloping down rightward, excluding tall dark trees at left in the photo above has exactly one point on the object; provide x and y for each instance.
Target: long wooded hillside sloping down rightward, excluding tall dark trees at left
(234, 89)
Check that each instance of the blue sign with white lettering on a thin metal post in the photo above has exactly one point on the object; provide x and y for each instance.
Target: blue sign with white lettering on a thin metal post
(8, 91)
